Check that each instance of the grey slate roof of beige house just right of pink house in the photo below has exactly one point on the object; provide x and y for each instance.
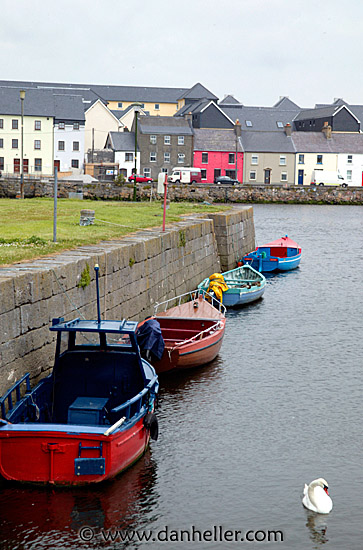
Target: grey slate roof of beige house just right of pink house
(267, 142)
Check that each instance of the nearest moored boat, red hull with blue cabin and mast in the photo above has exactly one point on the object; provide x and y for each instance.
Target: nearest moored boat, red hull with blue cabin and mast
(91, 418)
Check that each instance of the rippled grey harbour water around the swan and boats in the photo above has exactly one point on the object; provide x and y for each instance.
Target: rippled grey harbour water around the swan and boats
(282, 405)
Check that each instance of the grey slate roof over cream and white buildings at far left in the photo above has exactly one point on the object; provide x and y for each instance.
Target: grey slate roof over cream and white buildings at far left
(42, 103)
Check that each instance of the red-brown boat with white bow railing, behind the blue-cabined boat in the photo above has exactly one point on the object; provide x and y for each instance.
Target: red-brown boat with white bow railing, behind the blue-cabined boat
(192, 331)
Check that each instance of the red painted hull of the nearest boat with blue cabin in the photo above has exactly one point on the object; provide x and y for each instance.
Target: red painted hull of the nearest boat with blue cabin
(27, 455)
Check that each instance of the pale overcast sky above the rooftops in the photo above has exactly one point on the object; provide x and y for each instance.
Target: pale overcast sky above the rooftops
(257, 50)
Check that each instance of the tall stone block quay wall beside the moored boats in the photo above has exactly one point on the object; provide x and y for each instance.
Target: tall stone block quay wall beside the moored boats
(136, 272)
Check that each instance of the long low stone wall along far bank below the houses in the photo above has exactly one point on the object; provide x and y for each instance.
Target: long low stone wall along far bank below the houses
(197, 193)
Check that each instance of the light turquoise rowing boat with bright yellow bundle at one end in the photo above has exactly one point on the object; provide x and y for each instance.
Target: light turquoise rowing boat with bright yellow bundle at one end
(236, 287)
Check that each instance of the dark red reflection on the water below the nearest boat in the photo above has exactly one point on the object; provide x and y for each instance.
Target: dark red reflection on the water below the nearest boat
(40, 516)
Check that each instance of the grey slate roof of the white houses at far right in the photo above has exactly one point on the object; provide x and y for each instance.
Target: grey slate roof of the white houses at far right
(316, 142)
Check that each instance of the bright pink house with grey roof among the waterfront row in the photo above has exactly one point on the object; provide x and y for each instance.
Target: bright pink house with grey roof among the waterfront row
(218, 153)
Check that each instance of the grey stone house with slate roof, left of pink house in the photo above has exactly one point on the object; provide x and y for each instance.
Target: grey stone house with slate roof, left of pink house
(164, 142)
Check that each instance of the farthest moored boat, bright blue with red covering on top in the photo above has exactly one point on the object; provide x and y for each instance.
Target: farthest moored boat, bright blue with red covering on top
(281, 255)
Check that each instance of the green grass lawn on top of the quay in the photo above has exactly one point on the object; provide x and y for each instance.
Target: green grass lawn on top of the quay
(26, 226)
